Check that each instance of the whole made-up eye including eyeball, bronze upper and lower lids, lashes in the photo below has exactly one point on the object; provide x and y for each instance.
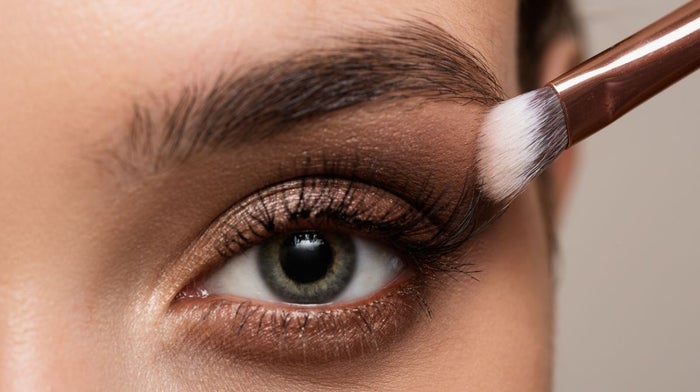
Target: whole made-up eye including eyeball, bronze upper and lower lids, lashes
(319, 268)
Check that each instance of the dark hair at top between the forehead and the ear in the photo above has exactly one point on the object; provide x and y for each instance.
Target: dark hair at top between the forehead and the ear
(540, 22)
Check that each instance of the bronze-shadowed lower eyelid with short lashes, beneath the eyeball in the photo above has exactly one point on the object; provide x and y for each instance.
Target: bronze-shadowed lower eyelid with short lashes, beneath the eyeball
(248, 331)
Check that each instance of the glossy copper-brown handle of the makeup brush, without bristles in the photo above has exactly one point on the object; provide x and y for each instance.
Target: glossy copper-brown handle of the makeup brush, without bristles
(605, 87)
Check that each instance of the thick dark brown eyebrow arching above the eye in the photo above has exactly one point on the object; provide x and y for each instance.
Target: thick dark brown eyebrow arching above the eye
(409, 60)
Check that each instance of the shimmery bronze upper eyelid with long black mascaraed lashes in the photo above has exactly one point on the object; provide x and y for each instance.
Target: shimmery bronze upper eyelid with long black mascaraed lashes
(424, 232)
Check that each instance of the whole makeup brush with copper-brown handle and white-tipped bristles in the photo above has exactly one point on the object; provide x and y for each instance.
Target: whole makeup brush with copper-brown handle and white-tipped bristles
(521, 136)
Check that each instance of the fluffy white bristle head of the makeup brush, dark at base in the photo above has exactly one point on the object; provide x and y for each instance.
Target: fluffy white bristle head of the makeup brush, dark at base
(520, 137)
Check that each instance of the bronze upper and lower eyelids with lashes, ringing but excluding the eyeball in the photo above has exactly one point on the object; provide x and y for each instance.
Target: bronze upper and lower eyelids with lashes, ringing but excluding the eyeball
(425, 231)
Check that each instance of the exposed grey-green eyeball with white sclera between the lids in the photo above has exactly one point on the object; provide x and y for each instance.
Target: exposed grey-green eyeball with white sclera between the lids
(307, 267)
